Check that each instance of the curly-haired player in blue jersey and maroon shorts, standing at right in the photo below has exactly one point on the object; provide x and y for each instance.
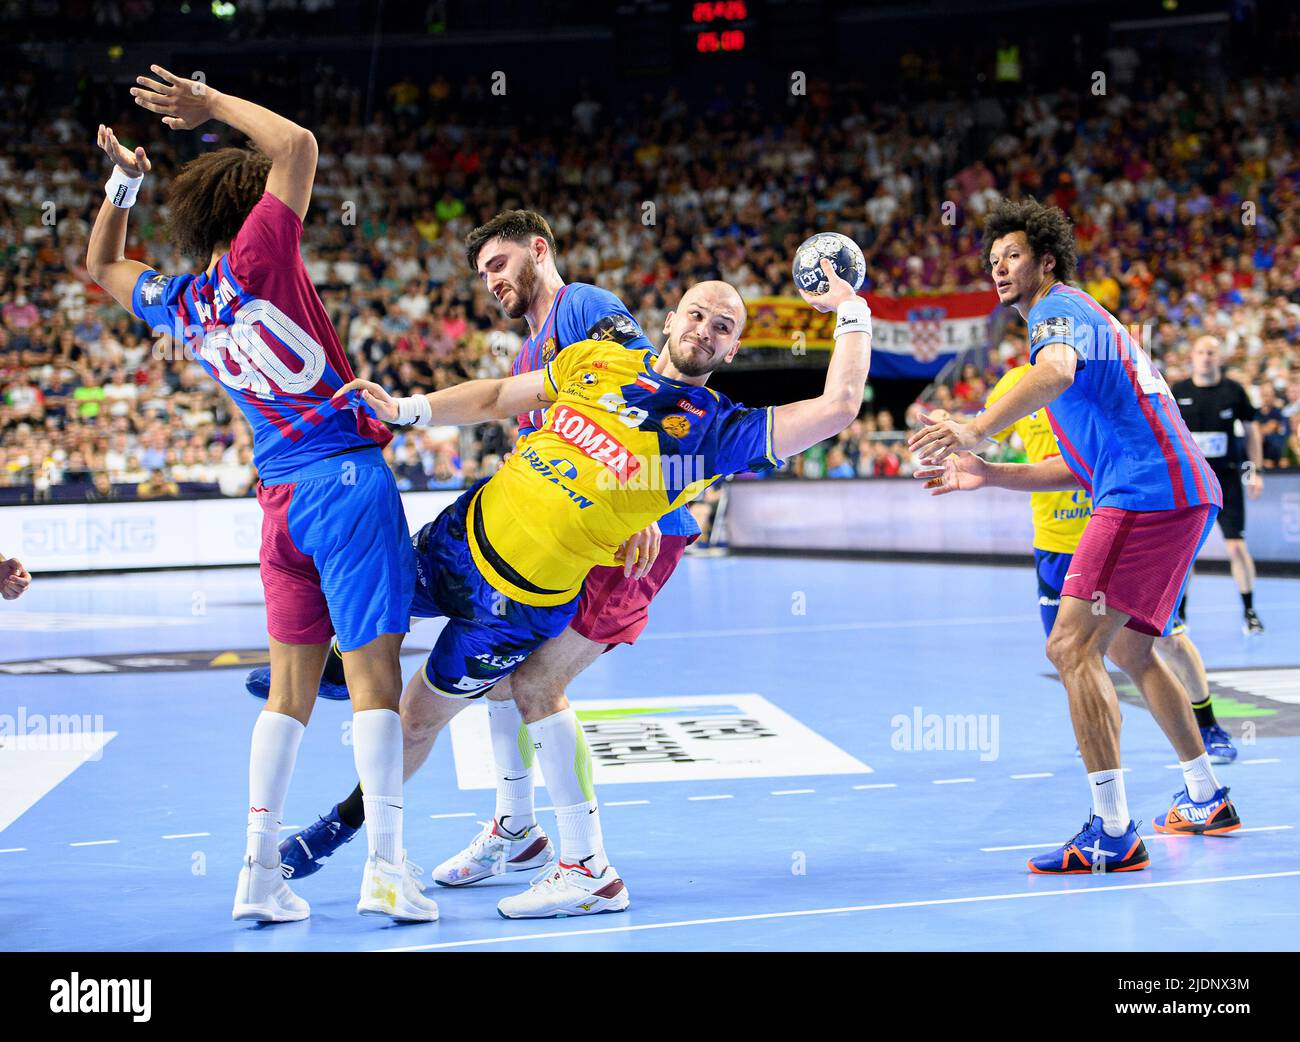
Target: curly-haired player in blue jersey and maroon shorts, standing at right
(1155, 500)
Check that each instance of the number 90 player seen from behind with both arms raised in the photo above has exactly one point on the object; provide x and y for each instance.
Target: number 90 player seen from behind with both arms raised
(336, 553)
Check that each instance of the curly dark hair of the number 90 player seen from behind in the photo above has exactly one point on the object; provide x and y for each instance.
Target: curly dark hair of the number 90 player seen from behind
(211, 198)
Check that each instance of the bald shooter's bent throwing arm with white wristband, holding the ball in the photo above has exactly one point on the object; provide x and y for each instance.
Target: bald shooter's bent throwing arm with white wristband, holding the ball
(803, 424)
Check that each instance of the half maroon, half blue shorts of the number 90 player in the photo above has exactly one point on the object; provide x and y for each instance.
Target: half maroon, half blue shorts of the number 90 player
(336, 553)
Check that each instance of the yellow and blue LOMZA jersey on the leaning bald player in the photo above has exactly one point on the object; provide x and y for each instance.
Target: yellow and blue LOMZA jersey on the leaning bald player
(621, 448)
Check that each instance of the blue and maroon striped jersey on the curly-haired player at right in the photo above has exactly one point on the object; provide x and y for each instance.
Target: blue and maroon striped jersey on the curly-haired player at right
(1119, 426)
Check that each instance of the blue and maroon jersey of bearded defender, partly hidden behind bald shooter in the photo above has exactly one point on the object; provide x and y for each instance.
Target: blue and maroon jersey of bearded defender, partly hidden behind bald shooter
(584, 312)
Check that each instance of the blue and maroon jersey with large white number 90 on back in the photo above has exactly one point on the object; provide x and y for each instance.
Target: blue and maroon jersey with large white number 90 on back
(268, 341)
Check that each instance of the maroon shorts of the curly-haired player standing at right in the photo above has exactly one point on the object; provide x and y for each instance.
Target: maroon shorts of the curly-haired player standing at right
(1138, 562)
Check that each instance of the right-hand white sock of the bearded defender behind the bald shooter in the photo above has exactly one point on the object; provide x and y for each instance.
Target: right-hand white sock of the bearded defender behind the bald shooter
(567, 765)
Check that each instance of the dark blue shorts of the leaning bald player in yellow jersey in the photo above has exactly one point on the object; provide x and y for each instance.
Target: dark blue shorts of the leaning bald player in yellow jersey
(488, 635)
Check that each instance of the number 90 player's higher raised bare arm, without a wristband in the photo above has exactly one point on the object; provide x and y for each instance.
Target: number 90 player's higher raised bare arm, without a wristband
(189, 103)
